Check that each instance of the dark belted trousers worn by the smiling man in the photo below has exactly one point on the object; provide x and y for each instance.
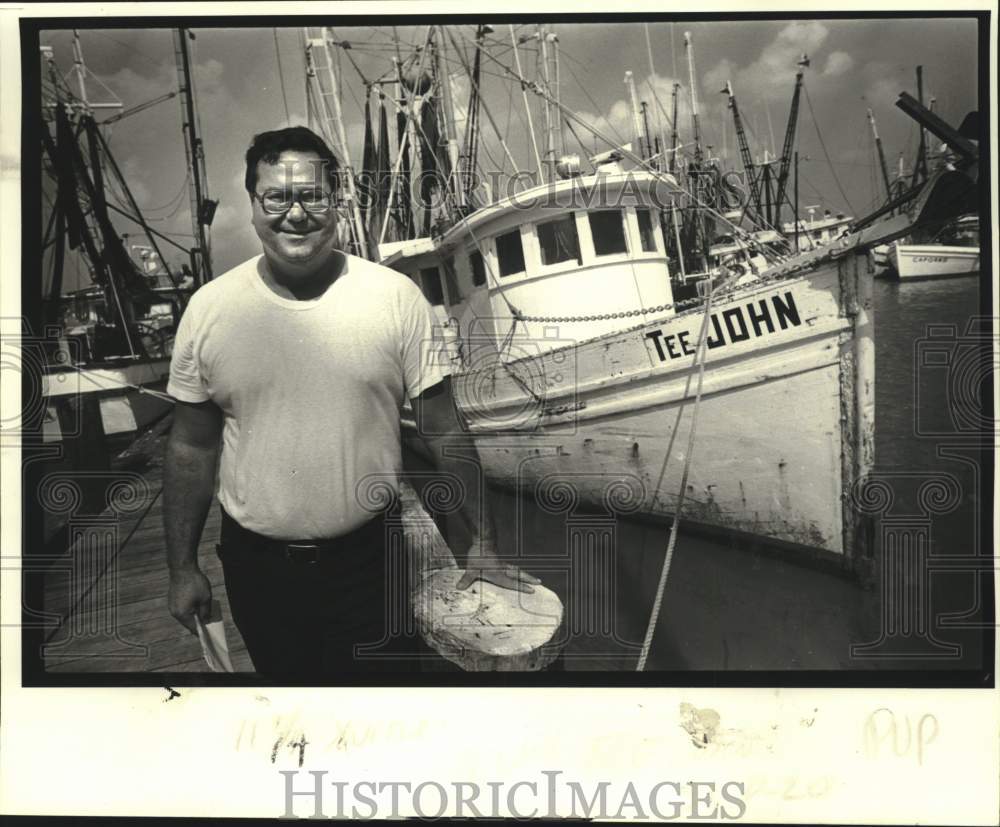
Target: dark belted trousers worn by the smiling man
(349, 611)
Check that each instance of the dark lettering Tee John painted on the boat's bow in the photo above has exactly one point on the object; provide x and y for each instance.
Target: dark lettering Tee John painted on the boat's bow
(731, 326)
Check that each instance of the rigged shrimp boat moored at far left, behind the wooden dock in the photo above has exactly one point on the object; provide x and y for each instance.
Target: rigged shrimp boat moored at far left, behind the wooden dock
(105, 355)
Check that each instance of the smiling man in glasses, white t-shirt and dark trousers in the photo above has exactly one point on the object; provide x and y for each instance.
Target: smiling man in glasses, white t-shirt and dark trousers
(298, 361)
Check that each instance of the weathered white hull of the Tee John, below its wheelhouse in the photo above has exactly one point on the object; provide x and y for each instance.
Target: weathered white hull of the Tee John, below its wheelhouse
(784, 426)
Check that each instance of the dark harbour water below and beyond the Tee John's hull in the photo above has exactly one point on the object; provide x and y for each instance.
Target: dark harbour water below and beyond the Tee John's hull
(737, 608)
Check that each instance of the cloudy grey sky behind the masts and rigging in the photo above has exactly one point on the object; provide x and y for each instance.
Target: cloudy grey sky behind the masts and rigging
(854, 65)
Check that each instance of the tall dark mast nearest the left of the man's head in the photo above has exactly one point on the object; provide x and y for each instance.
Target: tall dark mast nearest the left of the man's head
(202, 208)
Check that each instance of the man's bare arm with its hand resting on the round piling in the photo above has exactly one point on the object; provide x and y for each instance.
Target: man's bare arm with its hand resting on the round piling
(453, 451)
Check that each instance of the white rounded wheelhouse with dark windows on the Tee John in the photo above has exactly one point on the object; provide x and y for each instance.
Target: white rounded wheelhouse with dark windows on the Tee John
(575, 258)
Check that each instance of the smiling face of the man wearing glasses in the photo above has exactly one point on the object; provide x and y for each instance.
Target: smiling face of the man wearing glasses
(295, 237)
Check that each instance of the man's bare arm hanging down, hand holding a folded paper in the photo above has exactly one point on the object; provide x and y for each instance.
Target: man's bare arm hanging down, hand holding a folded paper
(188, 487)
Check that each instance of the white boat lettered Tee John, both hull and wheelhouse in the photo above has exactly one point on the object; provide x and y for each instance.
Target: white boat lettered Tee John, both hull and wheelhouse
(585, 389)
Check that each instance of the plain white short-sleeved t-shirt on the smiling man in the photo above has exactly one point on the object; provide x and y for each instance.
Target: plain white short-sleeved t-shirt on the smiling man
(311, 391)
